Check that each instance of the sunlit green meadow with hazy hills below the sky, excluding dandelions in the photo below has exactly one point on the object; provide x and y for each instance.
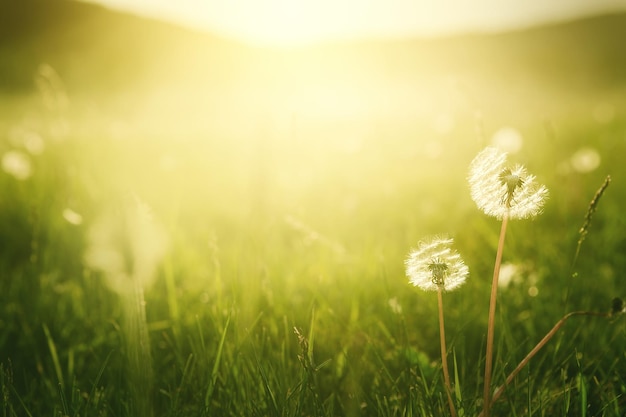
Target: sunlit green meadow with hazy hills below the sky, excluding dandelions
(190, 226)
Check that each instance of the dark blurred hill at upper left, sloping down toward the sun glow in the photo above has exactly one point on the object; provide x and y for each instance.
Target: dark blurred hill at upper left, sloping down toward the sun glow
(94, 48)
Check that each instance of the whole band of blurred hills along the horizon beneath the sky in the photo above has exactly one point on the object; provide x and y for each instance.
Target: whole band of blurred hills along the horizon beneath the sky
(90, 45)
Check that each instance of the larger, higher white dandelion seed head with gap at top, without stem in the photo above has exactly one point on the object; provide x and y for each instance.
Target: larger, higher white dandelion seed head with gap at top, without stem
(498, 189)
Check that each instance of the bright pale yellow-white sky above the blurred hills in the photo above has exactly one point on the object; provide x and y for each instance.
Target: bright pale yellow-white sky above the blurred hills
(288, 22)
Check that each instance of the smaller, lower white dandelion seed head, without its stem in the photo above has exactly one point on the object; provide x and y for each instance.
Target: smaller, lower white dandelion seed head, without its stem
(434, 265)
